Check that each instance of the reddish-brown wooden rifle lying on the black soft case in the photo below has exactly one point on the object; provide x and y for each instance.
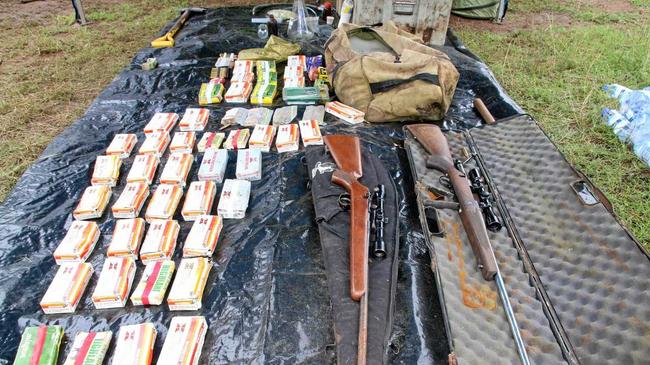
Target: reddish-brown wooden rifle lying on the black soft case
(346, 151)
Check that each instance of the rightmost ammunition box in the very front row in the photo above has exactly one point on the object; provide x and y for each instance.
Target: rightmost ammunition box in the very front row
(184, 341)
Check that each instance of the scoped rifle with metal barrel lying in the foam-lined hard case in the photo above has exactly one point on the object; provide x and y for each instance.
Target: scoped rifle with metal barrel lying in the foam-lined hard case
(435, 143)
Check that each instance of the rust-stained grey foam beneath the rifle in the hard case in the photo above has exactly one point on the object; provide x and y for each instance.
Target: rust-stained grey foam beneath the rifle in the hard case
(476, 321)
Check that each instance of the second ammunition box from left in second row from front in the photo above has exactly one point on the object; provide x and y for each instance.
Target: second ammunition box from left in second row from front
(114, 282)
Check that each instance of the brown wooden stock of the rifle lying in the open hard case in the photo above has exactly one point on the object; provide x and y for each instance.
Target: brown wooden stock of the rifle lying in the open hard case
(435, 143)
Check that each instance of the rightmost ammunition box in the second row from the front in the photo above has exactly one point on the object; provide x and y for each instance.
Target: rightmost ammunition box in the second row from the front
(187, 290)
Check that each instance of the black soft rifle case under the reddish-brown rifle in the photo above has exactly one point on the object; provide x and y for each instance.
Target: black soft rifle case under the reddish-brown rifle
(333, 221)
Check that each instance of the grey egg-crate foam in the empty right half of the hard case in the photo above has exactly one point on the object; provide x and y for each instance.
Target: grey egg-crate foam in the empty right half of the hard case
(596, 276)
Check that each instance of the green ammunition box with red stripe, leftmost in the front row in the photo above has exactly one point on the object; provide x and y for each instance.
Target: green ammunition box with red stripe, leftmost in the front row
(39, 345)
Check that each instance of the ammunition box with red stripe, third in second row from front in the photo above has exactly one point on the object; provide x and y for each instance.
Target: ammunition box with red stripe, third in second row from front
(154, 283)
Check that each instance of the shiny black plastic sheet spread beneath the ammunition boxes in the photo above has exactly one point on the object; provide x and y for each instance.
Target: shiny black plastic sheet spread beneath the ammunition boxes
(265, 301)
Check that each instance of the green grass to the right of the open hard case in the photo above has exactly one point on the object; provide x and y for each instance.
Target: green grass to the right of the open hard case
(556, 74)
